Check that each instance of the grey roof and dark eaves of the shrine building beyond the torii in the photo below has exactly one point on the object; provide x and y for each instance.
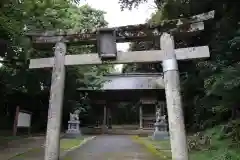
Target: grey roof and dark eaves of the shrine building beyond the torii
(128, 87)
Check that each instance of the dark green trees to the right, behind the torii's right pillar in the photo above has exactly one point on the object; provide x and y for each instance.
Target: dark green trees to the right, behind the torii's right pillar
(211, 87)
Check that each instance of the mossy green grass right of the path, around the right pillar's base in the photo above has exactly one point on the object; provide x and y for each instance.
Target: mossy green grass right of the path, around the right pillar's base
(220, 149)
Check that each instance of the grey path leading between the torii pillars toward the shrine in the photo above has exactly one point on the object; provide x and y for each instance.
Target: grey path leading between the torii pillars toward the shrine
(111, 148)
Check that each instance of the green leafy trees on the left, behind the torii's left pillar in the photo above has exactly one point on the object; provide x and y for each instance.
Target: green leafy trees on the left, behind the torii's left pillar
(18, 17)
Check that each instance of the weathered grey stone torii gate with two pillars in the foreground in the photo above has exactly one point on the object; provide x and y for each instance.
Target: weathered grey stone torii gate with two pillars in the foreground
(168, 55)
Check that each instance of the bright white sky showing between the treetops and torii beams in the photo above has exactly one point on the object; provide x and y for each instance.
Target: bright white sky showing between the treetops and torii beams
(115, 17)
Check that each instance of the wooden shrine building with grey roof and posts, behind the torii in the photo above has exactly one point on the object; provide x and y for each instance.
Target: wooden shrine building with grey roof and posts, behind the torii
(140, 88)
